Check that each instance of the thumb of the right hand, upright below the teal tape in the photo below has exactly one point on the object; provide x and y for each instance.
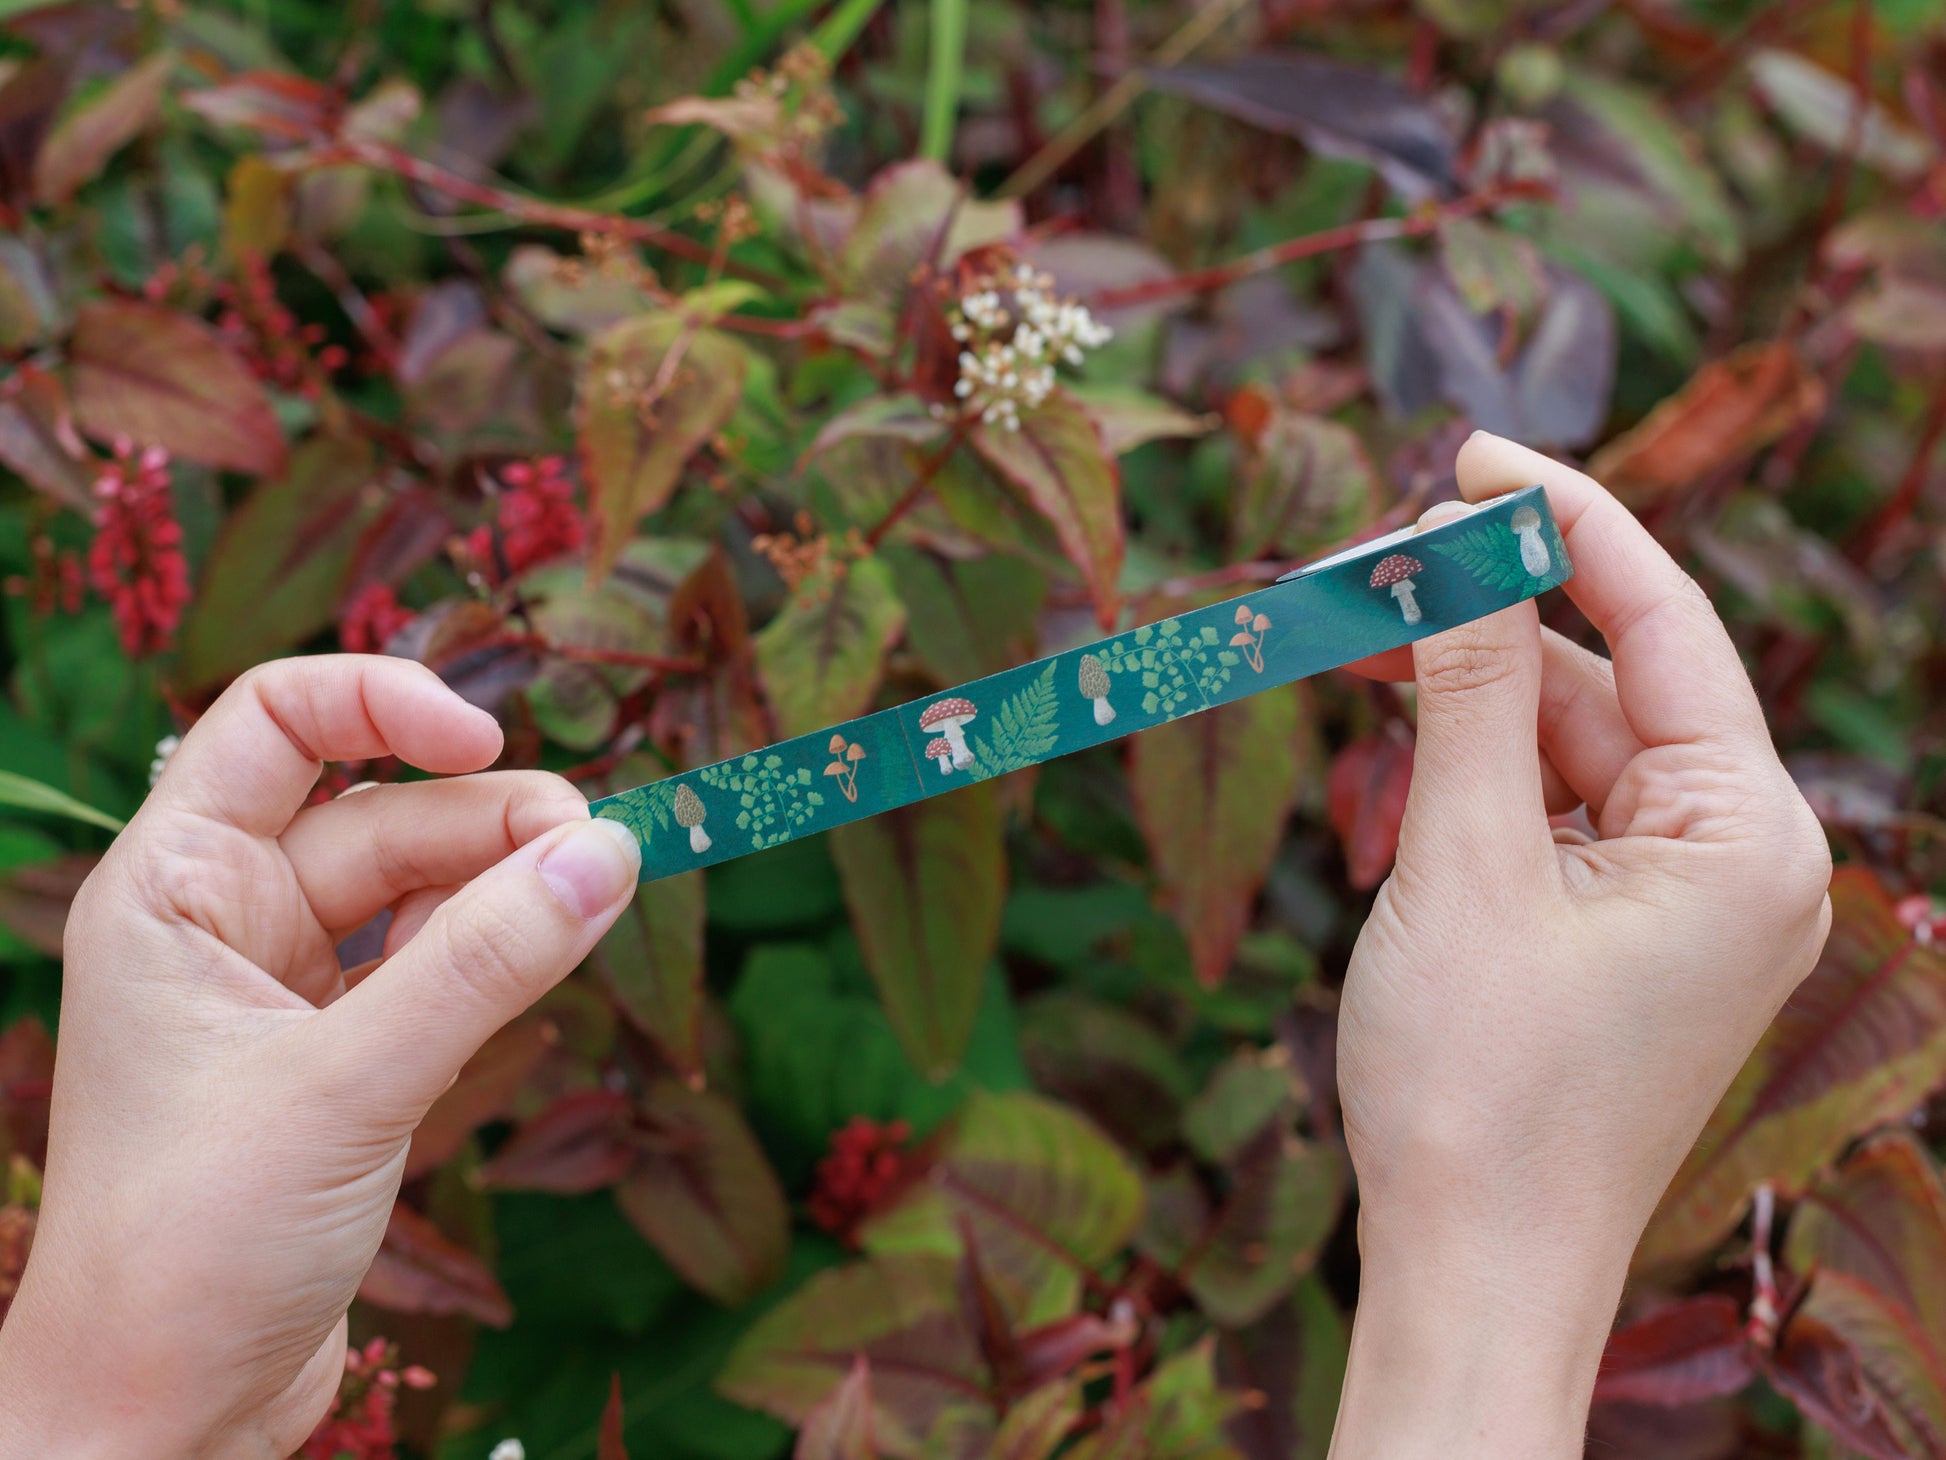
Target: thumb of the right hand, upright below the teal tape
(1478, 764)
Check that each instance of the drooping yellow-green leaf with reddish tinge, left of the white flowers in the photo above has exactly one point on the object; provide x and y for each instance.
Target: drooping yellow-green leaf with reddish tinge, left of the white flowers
(655, 392)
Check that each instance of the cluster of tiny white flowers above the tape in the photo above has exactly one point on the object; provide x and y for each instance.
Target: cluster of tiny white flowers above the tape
(1015, 334)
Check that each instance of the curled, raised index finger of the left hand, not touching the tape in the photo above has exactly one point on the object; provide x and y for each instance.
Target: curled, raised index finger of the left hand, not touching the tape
(254, 758)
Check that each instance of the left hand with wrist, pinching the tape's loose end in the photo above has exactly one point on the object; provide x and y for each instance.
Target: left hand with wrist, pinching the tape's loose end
(231, 1111)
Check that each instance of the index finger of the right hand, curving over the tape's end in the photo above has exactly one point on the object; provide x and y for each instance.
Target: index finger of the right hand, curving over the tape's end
(1678, 676)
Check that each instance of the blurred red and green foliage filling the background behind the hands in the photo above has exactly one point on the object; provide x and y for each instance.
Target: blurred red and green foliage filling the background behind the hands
(604, 359)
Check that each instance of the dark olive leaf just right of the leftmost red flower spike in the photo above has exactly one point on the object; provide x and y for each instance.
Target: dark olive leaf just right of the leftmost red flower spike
(279, 569)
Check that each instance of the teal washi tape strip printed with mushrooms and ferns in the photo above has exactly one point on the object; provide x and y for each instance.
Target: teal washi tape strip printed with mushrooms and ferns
(1361, 602)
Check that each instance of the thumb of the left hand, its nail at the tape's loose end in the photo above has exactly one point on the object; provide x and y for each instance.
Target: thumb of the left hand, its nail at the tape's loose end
(484, 957)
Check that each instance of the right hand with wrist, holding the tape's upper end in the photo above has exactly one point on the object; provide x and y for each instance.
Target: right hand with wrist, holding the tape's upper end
(1536, 1025)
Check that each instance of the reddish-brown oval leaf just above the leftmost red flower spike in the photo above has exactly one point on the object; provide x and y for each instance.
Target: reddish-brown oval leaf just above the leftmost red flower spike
(162, 379)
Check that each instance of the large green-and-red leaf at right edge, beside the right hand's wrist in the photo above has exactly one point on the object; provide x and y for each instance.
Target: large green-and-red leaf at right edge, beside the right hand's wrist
(1861, 1042)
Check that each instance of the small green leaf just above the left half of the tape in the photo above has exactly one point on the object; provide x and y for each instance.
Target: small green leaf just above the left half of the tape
(822, 657)
